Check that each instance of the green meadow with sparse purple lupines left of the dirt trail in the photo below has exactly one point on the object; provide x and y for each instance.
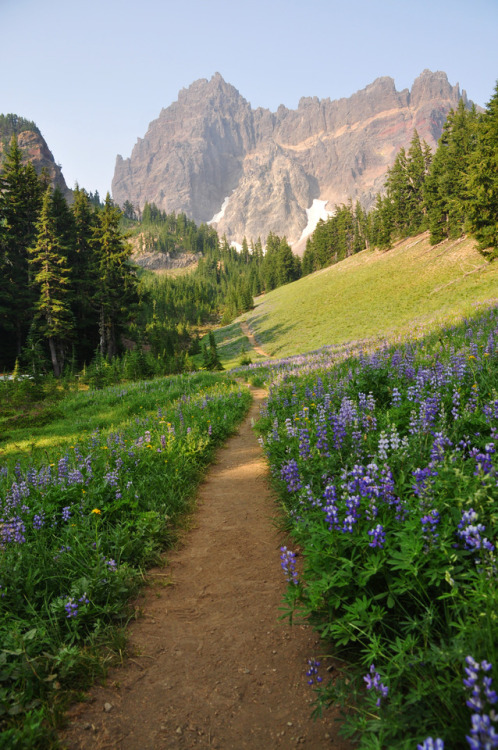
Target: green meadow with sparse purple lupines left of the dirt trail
(78, 527)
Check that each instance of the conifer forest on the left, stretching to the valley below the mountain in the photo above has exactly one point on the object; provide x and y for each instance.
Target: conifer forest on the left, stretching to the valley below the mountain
(71, 298)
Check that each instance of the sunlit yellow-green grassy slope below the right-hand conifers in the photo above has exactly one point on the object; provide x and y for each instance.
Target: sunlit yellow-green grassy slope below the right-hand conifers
(413, 286)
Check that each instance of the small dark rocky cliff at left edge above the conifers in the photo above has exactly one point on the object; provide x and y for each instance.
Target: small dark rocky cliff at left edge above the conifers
(33, 147)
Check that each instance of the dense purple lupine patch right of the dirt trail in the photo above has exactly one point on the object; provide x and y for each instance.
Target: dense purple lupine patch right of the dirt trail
(386, 464)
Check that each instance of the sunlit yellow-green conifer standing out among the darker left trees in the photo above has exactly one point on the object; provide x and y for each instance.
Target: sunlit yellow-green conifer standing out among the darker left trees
(51, 284)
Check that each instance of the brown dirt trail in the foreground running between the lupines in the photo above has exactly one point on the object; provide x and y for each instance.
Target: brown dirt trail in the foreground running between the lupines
(213, 665)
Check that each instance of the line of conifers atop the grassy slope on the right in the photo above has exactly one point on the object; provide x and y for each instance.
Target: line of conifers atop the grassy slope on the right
(448, 193)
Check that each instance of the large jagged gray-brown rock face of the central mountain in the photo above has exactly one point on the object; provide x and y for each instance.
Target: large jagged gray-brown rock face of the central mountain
(211, 145)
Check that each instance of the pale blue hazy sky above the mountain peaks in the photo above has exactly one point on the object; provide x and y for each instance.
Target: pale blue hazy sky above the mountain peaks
(93, 74)
